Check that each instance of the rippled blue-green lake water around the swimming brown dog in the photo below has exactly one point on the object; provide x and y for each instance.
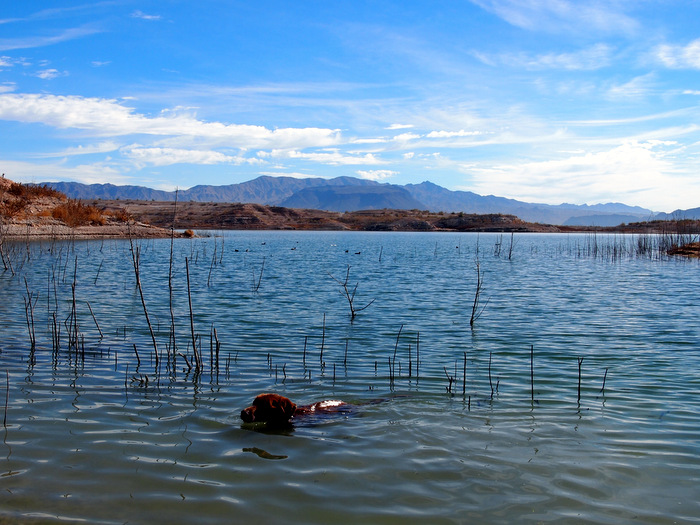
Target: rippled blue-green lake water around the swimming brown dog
(92, 435)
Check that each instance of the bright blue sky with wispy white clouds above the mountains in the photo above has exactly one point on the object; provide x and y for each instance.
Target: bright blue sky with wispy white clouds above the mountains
(539, 100)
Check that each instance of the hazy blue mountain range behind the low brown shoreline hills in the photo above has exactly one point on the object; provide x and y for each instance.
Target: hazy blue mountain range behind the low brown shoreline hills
(352, 194)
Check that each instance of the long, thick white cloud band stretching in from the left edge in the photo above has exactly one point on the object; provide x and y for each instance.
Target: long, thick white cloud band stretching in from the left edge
(107, 117)
